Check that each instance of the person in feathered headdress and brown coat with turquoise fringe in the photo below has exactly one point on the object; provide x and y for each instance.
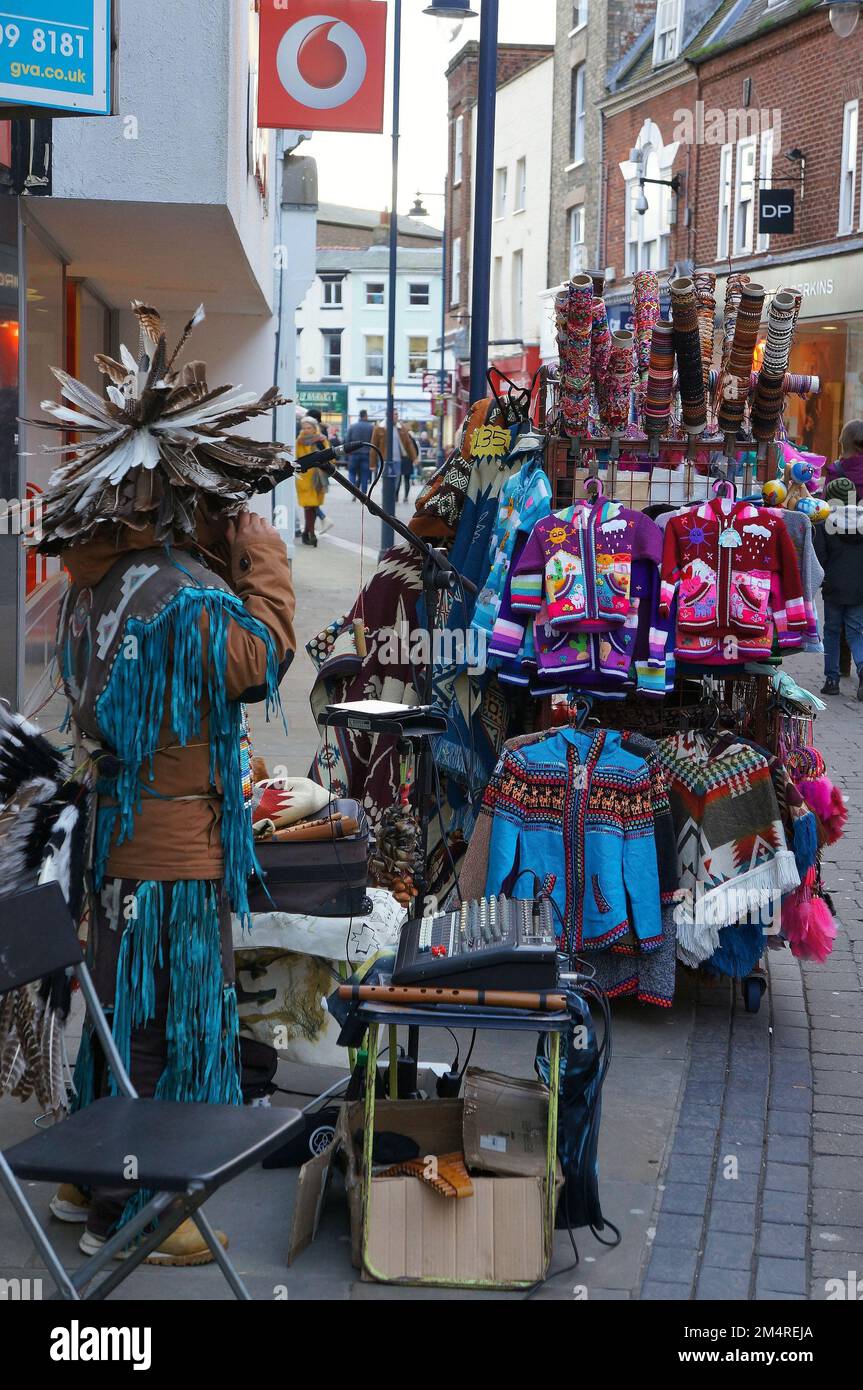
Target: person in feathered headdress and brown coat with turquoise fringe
(180, 610)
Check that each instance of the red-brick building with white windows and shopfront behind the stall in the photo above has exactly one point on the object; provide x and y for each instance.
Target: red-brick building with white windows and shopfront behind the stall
(750, 101)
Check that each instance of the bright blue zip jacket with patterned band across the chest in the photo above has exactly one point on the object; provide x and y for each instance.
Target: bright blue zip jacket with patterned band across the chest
(580, 806)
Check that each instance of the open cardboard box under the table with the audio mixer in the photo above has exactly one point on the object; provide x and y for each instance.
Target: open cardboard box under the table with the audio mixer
(497, 1238)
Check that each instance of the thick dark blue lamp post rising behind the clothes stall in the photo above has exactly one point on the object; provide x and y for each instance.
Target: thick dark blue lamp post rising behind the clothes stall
(484, 180)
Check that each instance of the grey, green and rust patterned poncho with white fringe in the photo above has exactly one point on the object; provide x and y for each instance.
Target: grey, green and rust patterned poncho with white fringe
(733, 856)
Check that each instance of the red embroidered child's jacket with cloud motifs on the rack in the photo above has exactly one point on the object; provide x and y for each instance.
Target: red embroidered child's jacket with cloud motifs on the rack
(737, 576)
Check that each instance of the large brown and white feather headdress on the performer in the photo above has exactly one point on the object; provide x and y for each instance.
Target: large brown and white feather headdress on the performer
(161, 444)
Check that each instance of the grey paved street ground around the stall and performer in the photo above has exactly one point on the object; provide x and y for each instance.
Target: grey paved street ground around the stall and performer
(732, 1149)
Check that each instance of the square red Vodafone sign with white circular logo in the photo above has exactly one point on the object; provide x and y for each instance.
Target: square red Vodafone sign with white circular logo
(322, 65)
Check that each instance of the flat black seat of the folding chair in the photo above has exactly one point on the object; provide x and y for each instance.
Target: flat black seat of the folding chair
(174, 1145)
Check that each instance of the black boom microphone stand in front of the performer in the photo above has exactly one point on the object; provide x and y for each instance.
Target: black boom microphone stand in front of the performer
(438, 578)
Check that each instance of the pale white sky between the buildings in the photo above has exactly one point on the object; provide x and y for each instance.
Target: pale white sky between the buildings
(356, 169)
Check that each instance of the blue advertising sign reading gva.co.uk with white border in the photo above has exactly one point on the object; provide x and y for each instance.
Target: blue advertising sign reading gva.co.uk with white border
(56, 55)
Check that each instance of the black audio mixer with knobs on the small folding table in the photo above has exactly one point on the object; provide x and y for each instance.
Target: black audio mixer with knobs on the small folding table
(488, 945)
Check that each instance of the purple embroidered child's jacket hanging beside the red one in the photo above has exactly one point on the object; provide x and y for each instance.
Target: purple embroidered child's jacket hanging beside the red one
(582, 562)
